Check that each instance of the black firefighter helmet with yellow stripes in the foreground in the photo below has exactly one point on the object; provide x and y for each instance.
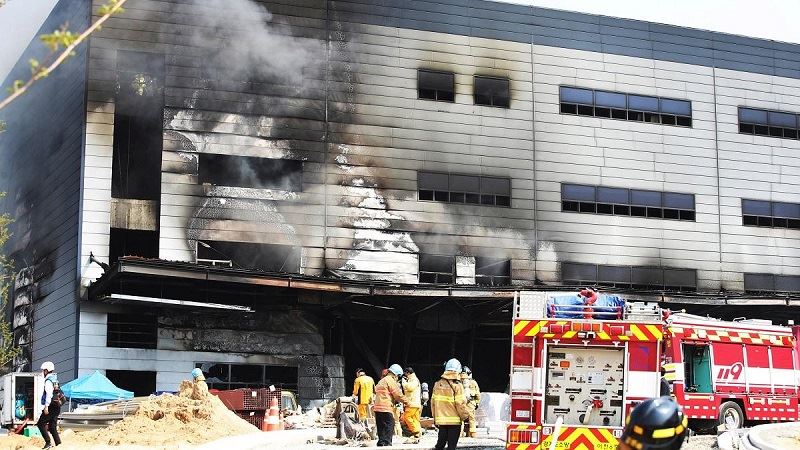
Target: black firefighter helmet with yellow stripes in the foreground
(655, 424)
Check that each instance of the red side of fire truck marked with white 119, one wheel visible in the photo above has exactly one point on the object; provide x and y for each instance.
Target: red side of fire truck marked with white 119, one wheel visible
(730, 372)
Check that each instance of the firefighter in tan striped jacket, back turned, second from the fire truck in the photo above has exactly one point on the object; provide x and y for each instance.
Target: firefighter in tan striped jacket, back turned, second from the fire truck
(449, 406)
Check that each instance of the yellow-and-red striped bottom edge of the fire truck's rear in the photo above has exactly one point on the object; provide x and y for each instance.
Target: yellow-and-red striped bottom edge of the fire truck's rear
(570, 438)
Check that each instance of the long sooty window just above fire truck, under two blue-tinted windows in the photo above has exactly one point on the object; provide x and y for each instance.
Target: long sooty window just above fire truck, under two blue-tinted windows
(632, 277)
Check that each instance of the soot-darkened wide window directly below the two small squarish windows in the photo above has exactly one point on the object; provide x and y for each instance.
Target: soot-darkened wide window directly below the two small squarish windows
(469, 189)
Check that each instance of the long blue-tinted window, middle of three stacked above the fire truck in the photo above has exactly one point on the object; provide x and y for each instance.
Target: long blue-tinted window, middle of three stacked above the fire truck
(627, 202)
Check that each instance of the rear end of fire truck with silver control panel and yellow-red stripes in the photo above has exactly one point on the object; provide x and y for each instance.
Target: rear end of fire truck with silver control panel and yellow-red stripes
(578, 367)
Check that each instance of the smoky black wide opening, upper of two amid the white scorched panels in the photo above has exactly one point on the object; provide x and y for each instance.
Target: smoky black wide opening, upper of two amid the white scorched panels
(251, 172)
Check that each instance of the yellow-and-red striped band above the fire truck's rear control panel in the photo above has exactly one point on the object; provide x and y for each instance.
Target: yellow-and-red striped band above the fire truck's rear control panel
(525, 330)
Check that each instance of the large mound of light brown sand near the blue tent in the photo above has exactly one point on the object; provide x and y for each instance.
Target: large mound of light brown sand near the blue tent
(191, 417)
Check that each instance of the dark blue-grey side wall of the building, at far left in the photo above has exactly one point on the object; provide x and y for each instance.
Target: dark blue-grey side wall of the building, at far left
(41, 174)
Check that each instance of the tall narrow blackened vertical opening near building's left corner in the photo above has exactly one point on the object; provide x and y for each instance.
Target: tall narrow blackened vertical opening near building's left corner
(138, 123)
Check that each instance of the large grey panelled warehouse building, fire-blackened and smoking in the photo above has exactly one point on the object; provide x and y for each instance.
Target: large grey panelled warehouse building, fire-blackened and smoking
(279, 192)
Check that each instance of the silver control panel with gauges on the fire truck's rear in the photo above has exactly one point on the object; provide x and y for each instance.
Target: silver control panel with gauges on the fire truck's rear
(585, 385)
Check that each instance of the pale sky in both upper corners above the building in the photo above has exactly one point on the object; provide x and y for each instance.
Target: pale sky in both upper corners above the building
(768, 19)
